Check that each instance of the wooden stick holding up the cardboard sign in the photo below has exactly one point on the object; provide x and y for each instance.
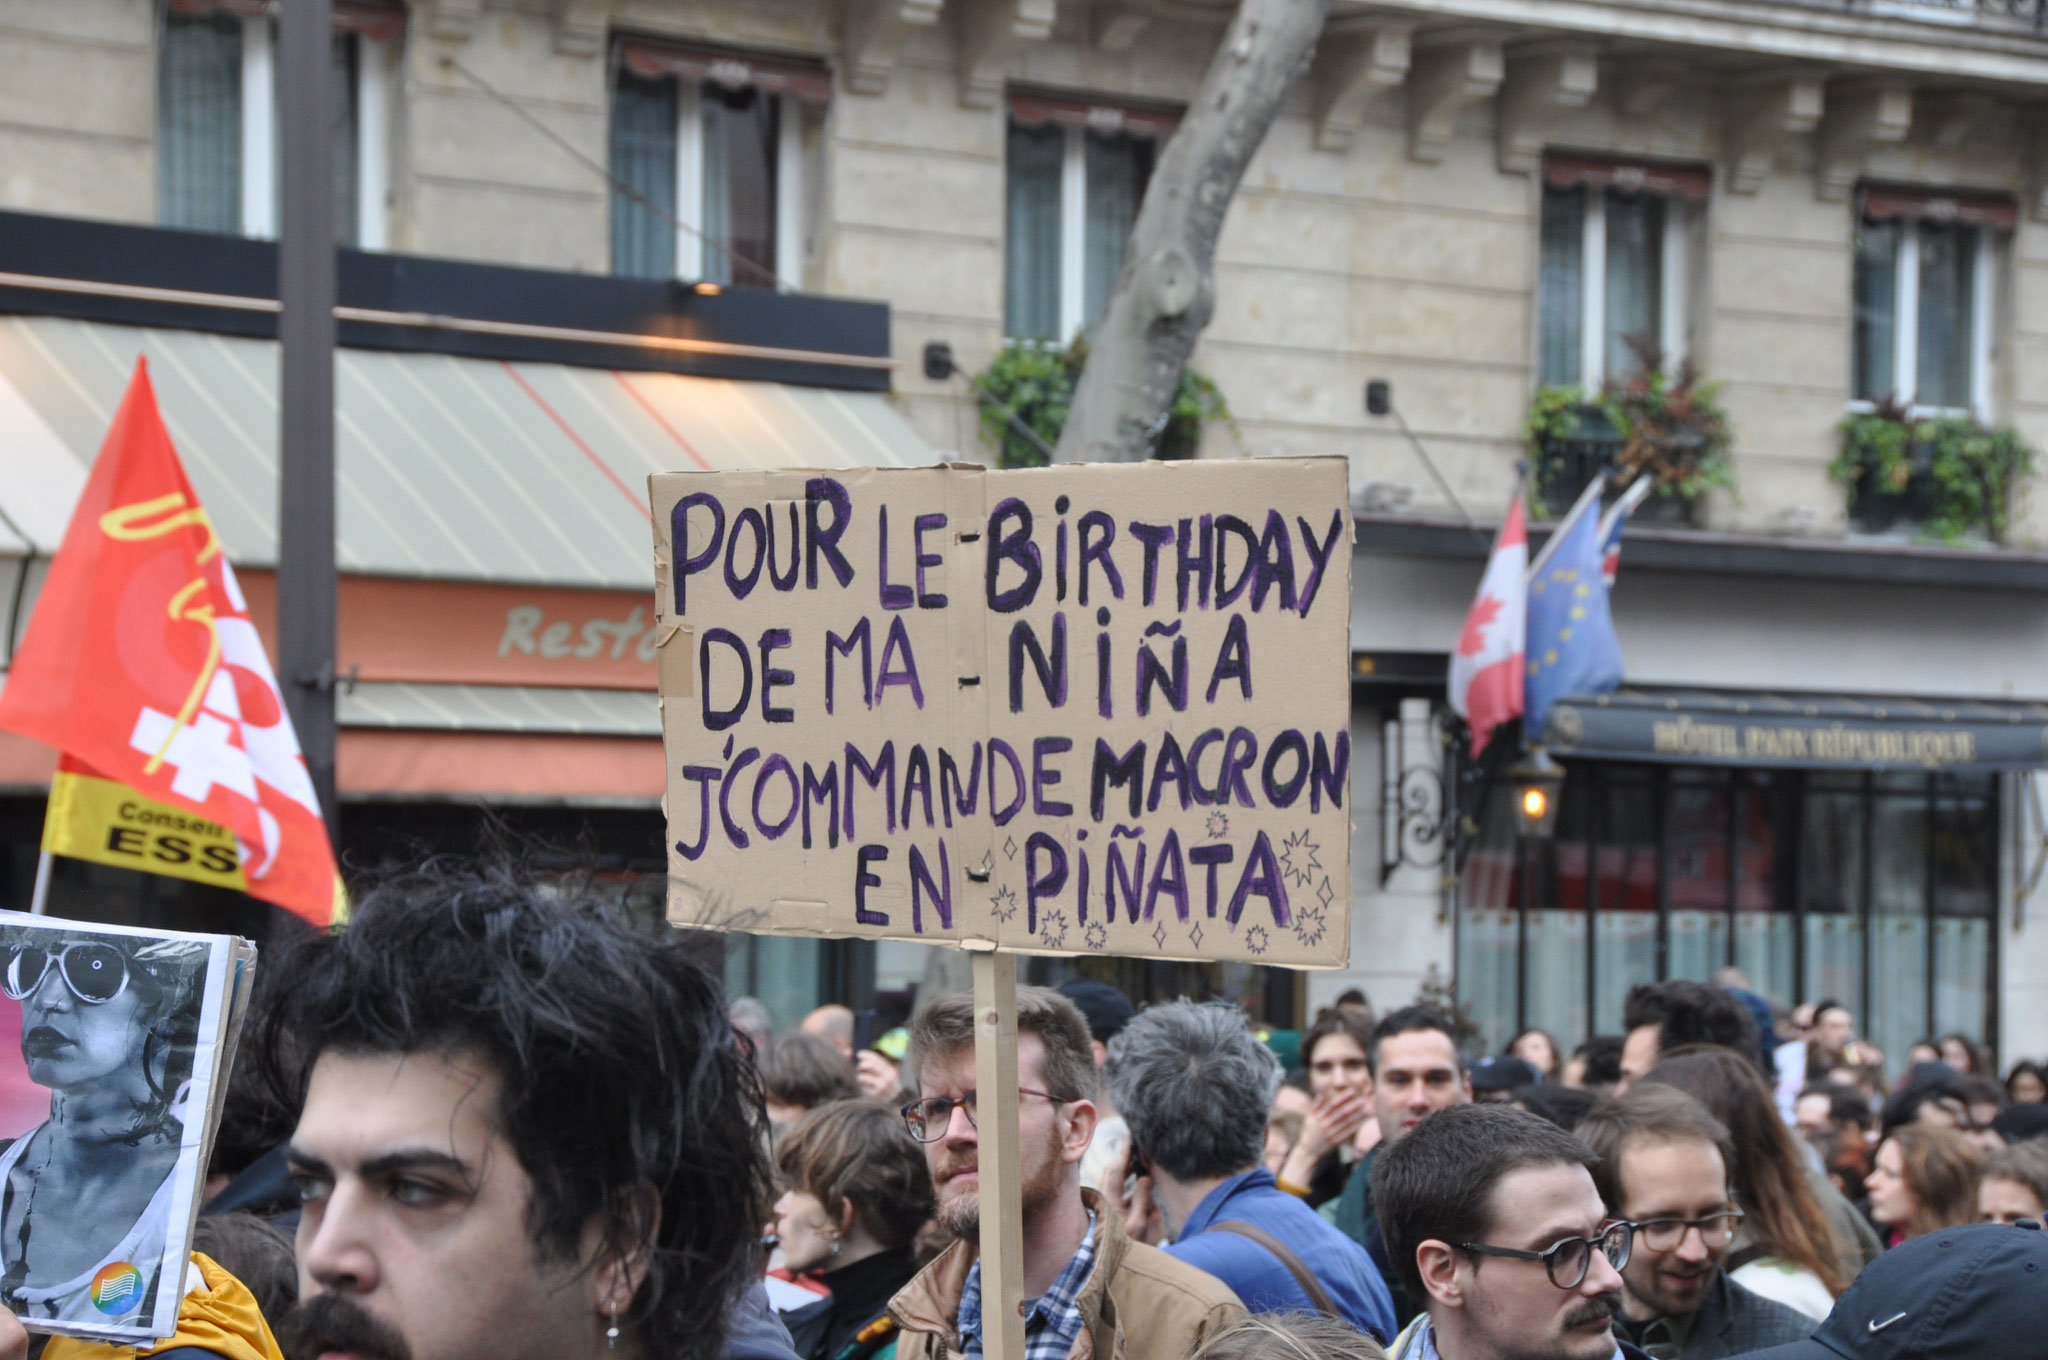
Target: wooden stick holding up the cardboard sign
(1000, 1164)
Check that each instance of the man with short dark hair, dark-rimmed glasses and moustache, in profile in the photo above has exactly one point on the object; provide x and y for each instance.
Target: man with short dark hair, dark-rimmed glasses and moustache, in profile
(1494, 1220)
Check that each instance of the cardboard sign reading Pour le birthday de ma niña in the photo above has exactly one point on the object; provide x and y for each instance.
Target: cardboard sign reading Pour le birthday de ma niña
(1070, 710)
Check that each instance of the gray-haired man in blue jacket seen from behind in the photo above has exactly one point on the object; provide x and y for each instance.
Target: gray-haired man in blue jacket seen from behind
(1195, 1087)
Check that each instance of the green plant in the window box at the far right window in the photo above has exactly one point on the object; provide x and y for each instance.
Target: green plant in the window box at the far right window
(1953, 472)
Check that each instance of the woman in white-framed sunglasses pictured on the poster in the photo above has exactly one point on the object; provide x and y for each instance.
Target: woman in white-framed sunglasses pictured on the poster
(108, 1025)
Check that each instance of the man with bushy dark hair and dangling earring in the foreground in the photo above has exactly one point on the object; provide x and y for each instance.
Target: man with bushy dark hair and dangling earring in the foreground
(527, 1132)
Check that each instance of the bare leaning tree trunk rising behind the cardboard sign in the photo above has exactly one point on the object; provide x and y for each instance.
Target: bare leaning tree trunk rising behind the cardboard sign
(1166, 292)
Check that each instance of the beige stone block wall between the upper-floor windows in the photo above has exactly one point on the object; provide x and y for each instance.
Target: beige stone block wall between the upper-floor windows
(1334, 267)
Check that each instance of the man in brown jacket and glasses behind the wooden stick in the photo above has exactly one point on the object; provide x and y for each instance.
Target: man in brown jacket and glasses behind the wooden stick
(1089, 1289)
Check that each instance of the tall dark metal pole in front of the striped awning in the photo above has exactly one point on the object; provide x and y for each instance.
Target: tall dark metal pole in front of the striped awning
(306, 419)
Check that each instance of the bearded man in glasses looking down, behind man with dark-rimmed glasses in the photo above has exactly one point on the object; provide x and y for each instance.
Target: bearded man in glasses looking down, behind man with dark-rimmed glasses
(1664, 1166)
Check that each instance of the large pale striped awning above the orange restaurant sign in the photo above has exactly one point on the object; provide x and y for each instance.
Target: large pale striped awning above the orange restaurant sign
(447, 468)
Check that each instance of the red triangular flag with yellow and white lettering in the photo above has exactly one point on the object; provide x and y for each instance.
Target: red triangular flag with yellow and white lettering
(144, 669)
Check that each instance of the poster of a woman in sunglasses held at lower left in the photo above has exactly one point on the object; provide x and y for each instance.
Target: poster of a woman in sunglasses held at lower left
(114, 1062)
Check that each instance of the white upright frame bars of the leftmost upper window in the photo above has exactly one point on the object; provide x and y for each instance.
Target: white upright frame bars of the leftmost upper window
(261, 122)
